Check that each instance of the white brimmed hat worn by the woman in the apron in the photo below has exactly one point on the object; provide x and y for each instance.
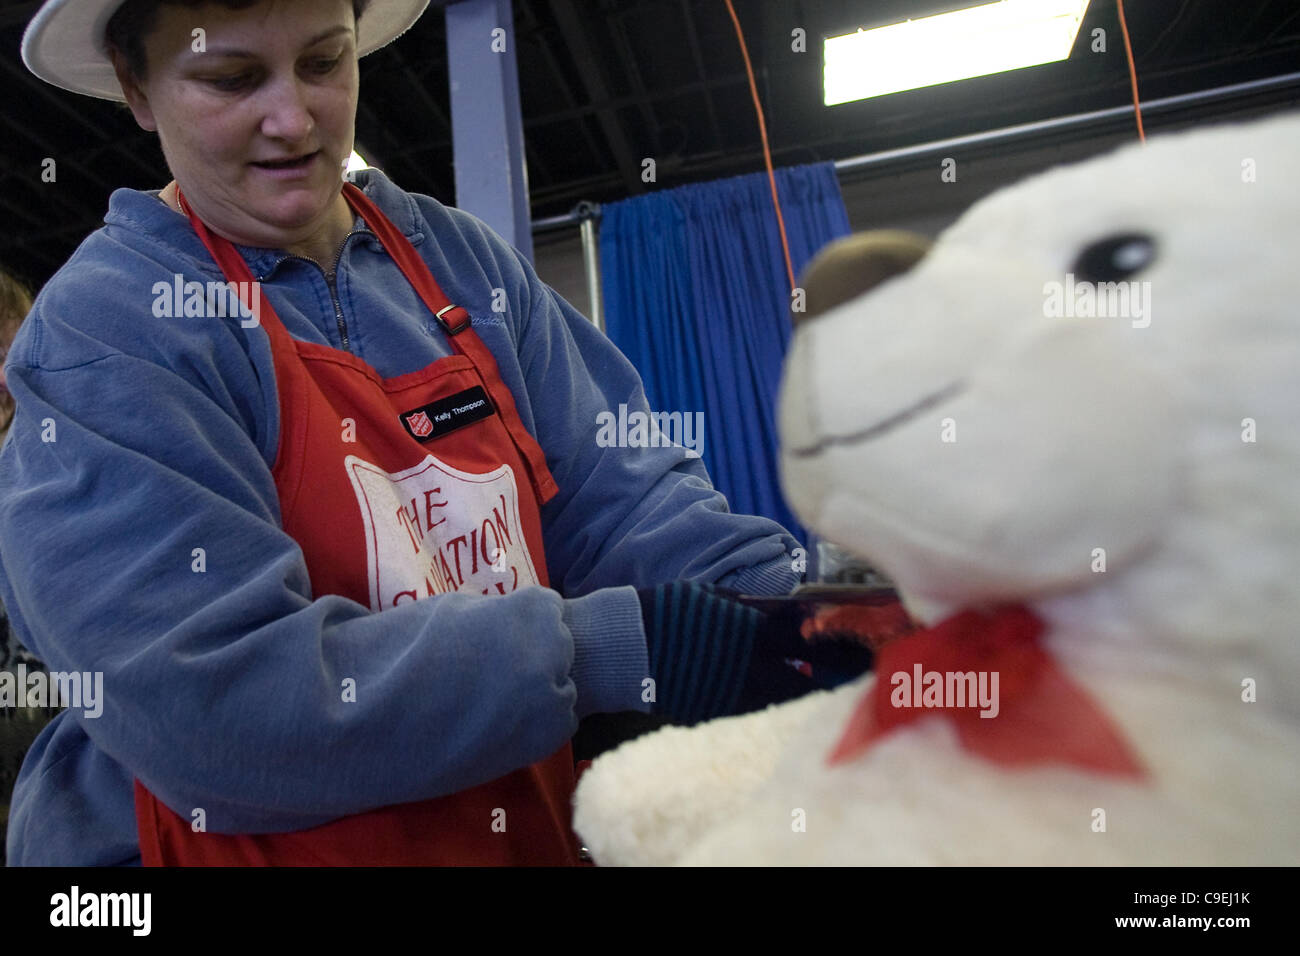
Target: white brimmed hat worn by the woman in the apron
(64, 44)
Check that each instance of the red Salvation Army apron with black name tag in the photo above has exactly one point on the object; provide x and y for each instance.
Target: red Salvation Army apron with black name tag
(418, 478)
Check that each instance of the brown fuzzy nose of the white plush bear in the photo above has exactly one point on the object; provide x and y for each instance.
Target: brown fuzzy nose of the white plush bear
(851, 267)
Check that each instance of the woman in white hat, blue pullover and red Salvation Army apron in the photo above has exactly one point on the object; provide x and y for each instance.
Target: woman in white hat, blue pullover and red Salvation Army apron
(297, 534)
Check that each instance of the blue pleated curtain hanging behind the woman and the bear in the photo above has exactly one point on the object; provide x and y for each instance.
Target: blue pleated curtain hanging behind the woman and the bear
(696, 296)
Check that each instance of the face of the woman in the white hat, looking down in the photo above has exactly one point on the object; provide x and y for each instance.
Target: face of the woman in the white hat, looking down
(278, 81)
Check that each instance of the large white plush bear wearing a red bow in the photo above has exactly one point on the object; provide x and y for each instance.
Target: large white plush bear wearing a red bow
(999, 430)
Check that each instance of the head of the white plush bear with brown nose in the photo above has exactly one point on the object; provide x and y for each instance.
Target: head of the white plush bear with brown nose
(1085, 397)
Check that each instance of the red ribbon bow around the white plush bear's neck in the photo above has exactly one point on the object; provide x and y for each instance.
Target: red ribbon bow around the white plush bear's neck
(1035, 713)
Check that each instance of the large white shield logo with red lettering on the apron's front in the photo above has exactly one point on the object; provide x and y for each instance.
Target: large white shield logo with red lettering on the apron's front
(432, 530)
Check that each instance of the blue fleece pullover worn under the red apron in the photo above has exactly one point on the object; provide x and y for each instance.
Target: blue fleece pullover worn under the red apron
(138, 440)
